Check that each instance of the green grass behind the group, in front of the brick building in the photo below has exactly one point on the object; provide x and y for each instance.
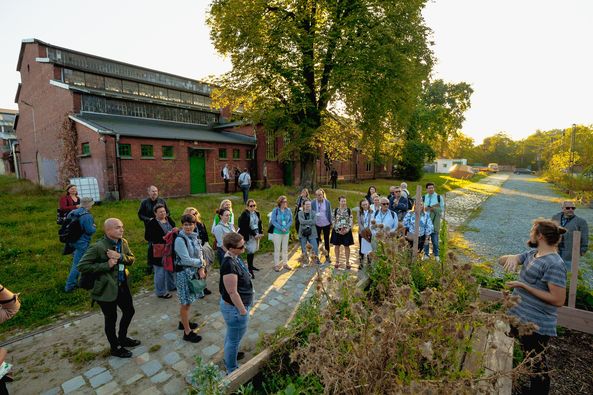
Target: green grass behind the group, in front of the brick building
(31, 262)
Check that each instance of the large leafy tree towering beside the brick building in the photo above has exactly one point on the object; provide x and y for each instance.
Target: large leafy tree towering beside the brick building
(295, 60)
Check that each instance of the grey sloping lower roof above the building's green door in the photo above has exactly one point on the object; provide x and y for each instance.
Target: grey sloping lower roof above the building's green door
(157, 129)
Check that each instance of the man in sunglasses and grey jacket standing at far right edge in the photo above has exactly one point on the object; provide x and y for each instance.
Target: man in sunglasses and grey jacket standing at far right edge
(568, 220)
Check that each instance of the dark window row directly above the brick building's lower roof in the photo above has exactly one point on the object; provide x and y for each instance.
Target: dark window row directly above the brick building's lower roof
(146, 110)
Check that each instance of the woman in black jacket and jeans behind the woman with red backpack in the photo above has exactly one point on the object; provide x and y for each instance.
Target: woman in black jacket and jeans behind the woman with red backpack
(156, 228)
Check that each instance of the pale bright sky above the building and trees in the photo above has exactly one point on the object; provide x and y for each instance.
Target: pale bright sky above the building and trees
(530, 62)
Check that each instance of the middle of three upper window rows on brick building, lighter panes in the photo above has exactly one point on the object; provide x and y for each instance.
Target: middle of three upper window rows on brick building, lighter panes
(93, 81)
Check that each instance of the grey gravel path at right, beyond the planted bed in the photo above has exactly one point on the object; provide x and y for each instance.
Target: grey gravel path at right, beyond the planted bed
(503, 225)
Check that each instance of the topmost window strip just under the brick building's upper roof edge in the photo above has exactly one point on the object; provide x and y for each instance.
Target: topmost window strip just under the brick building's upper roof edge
(102, 66)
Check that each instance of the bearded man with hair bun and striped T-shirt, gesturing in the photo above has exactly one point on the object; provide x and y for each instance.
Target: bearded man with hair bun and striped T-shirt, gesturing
(542, 289)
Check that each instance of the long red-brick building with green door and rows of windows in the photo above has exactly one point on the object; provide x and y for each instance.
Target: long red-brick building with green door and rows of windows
(131, 127)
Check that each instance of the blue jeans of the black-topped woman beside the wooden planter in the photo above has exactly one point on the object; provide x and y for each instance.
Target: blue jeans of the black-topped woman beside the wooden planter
(236, 325)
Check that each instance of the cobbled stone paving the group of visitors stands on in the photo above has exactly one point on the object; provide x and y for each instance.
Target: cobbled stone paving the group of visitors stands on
(163, 360)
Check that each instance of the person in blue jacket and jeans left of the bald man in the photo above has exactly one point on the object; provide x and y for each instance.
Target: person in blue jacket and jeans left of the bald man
(87, 224)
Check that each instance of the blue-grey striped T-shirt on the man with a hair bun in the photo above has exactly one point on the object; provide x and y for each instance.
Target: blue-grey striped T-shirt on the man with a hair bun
(537, 273)
